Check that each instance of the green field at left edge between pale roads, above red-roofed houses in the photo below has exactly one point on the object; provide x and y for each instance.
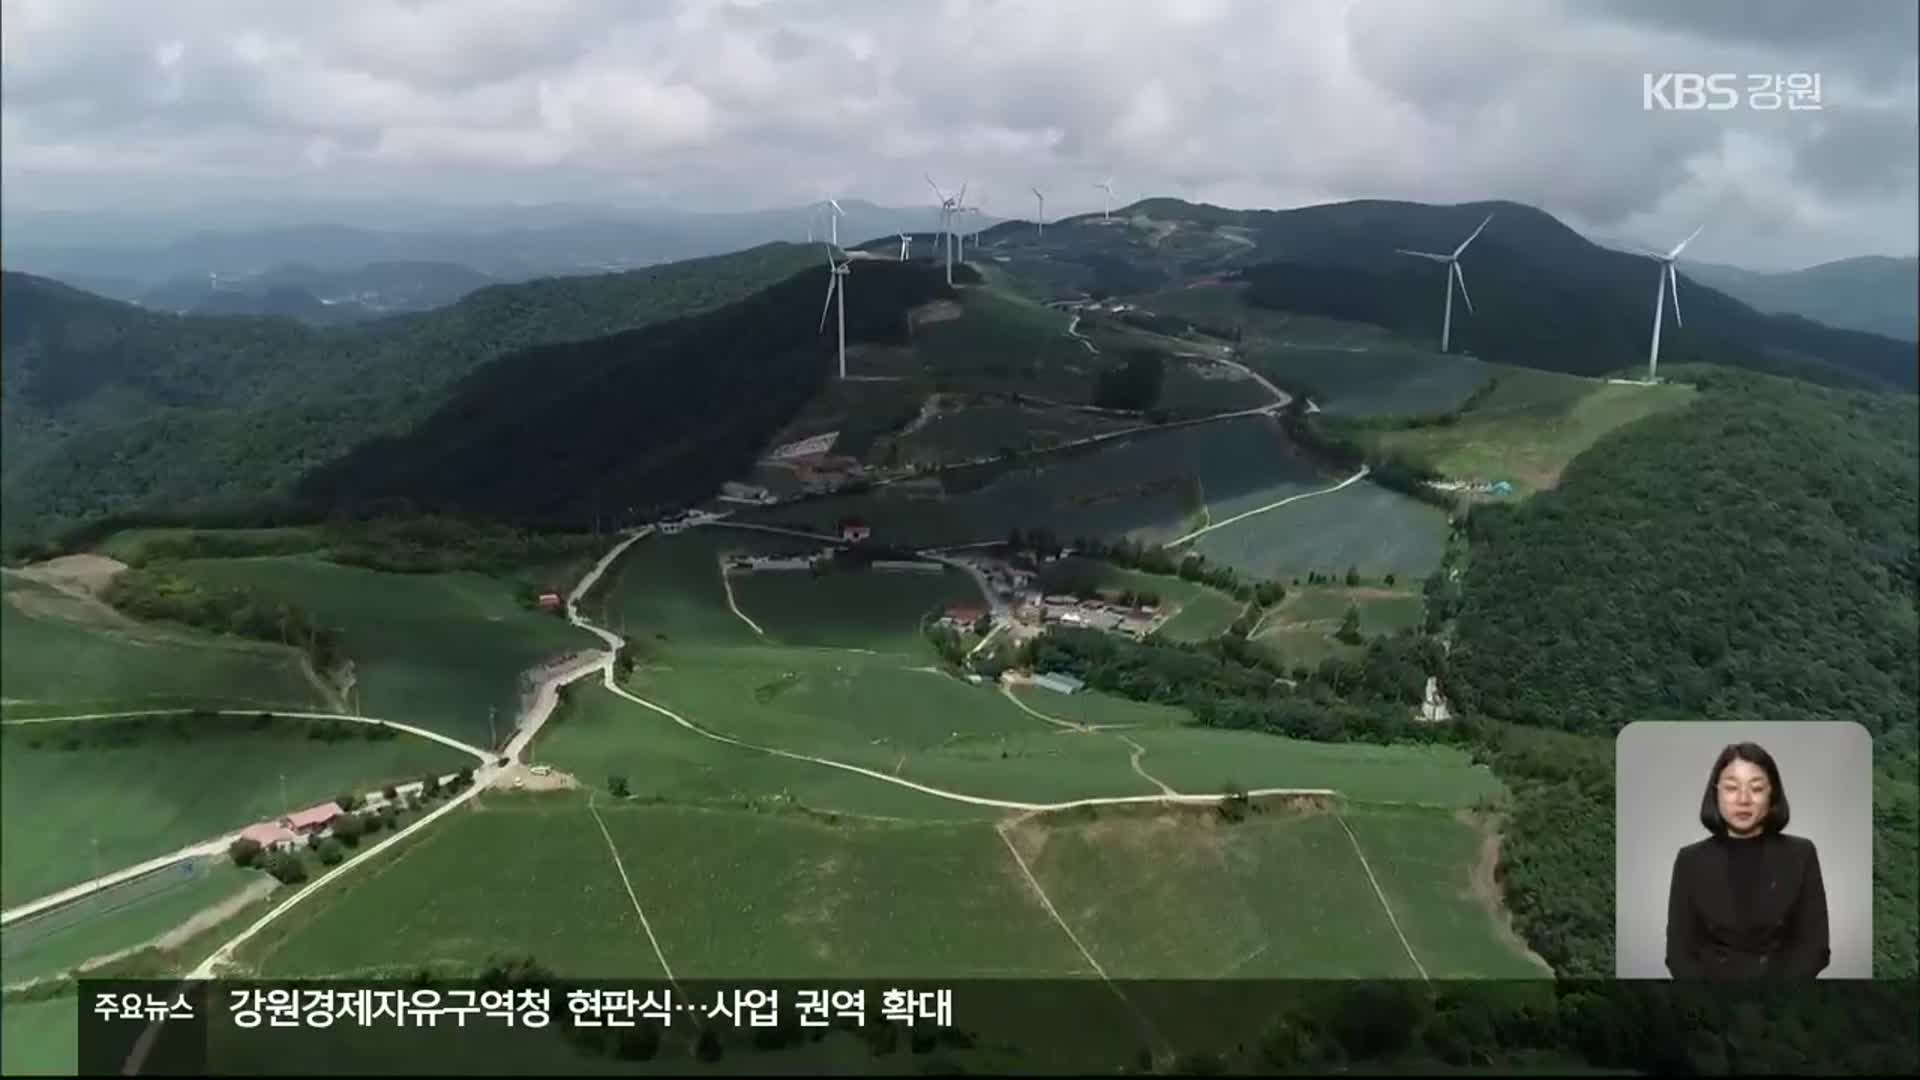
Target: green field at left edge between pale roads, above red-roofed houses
(68, 816)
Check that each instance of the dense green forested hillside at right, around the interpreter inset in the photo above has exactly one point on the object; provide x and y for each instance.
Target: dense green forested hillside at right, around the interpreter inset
(1758, 558)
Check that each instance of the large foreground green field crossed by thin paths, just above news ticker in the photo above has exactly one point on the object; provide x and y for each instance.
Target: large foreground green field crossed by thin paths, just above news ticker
(796, 896)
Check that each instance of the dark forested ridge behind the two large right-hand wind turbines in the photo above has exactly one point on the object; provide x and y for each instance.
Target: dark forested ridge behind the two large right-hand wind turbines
(1543, 295)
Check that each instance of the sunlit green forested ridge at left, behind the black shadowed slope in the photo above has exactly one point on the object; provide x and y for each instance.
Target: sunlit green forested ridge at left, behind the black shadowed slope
(112, 408)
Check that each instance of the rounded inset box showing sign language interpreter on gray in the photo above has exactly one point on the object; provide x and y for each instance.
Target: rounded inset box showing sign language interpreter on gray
(1744, 850)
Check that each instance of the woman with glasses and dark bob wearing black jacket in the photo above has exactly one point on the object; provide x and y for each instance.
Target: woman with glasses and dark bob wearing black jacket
(1746, 902)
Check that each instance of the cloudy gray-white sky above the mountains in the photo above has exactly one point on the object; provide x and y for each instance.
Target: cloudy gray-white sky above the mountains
(711, 105)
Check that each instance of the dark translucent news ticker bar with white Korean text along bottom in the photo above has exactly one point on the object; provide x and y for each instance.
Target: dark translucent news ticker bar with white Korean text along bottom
(1082, 1025)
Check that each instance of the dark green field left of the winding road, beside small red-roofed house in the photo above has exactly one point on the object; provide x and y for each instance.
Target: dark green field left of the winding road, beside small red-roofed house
(431, 650)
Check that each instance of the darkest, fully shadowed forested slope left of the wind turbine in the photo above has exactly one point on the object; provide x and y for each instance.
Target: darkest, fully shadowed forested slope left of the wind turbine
(617, 428)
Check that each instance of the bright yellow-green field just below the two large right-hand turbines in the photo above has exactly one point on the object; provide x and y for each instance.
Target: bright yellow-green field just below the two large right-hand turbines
(1531, 426)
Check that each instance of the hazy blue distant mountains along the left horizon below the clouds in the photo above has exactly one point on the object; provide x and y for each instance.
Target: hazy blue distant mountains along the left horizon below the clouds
(535, 243)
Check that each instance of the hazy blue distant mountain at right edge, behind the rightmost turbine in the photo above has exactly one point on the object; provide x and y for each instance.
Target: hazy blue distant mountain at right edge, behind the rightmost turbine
(1873, 293)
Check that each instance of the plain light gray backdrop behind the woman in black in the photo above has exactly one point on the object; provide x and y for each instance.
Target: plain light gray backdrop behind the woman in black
(1660, 777)
